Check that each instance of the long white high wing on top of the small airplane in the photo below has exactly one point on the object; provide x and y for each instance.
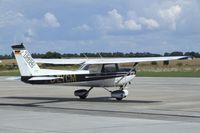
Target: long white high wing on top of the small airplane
(109, 60)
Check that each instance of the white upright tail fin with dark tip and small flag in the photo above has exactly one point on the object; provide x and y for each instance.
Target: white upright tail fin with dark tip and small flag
(27, 65)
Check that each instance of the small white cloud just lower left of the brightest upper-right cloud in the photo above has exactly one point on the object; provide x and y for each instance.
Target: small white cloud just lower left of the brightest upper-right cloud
(149, 23)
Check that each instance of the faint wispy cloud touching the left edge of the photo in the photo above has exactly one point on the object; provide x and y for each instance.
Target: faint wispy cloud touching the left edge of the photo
(10, 18)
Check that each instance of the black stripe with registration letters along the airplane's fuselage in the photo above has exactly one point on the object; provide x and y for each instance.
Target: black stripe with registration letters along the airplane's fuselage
(73, 78)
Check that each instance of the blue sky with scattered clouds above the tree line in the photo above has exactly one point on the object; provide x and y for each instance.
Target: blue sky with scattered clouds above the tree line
(75, 26)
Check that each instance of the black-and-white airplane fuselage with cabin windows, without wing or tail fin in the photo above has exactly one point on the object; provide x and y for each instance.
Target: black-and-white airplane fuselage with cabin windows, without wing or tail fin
(89, 75)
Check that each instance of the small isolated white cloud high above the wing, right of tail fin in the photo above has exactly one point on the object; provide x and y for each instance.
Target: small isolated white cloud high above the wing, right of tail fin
(51, 20)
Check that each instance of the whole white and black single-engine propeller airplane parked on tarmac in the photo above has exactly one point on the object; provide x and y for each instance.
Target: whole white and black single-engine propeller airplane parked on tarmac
(92, 73)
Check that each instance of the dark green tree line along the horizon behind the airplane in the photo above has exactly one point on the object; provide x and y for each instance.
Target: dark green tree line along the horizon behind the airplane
(105, 54)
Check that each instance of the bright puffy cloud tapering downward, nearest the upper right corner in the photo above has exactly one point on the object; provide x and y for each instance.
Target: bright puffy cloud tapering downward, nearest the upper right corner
(171, 14)
